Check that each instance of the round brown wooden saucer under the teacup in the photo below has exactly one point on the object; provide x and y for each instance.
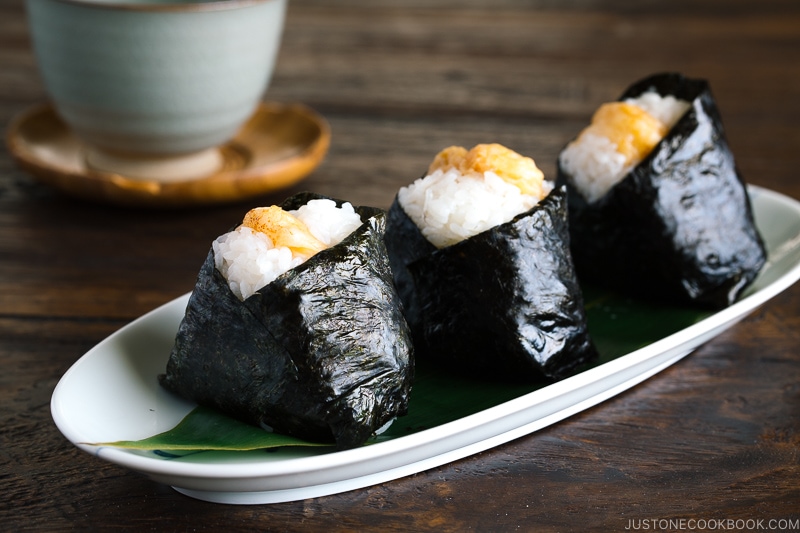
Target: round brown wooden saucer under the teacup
(280, 145)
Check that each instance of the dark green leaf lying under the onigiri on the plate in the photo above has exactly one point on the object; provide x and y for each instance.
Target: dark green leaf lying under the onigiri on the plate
(617, 325)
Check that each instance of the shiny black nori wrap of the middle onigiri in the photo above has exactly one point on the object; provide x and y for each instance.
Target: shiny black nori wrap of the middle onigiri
(504, 304)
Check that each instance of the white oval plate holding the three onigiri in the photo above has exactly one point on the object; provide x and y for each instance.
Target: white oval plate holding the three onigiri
(112, 393)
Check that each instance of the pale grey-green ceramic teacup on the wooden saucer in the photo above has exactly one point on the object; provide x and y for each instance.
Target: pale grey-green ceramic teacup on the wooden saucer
(153, 87)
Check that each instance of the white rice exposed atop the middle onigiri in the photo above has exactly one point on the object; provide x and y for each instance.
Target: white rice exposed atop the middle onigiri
(449, 206)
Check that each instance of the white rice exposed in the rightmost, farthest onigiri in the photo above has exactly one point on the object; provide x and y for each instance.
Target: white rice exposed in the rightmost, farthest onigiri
(594, 163)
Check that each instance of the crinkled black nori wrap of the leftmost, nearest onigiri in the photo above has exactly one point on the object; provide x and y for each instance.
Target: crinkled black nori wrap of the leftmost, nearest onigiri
(322, 353)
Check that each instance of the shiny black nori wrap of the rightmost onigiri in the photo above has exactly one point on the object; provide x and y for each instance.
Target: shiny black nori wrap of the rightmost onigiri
(679, 227)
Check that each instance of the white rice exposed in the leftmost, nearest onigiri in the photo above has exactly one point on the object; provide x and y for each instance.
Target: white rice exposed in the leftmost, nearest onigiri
(249, 260)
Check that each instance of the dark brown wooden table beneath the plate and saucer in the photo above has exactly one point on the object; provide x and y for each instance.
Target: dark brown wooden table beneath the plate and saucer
(713, 438)
